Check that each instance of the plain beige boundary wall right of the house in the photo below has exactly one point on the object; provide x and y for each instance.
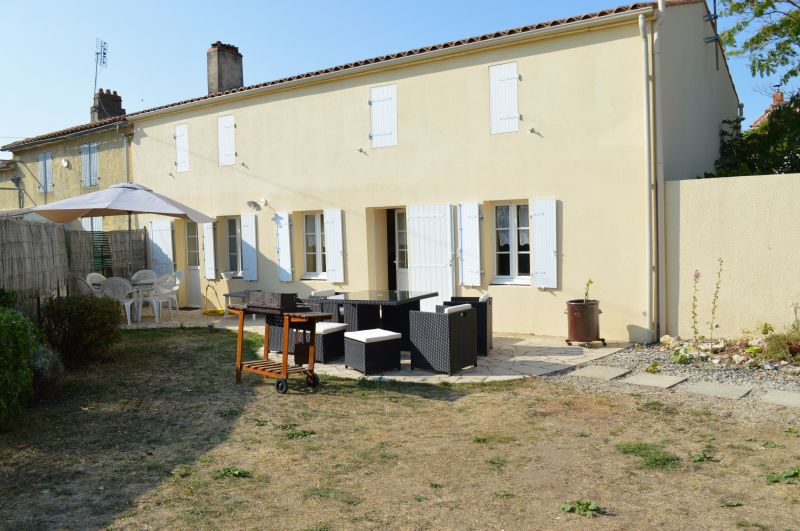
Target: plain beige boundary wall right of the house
(752, 224)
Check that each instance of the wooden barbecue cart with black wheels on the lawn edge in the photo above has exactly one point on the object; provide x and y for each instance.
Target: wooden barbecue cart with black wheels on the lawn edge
(298, 322)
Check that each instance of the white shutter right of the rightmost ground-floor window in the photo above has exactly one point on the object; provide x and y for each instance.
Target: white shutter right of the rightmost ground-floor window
(544, 235)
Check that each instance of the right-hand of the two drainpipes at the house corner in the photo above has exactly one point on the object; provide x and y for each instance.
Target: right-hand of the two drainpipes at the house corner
(661, 234)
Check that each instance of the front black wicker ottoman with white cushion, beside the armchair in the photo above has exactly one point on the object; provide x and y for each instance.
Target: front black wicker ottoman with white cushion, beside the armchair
(372, 351)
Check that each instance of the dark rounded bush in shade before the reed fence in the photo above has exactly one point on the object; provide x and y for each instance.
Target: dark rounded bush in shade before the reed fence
(80, 327)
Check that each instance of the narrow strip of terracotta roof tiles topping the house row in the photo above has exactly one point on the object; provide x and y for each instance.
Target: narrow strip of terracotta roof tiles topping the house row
(349, 66)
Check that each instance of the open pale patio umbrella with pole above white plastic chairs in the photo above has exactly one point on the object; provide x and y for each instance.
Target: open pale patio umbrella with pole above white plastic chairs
(118, 200)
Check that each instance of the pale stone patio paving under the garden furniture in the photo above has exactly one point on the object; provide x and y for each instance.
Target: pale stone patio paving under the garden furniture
(513, 356)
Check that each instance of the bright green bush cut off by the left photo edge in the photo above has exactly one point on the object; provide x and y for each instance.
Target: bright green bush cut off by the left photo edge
(18, 337)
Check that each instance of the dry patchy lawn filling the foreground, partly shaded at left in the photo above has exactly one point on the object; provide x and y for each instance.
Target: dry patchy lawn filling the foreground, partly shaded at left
(161, 436)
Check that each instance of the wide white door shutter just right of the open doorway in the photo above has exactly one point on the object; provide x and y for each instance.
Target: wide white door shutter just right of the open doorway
(430, 252)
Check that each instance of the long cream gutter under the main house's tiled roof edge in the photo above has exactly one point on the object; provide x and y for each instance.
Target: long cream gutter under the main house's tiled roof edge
(507, 40)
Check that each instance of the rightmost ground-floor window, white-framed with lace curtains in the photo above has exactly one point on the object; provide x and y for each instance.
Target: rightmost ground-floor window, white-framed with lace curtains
(512, 260)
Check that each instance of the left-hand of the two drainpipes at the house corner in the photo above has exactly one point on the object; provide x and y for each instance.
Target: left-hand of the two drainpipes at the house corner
(648, 167)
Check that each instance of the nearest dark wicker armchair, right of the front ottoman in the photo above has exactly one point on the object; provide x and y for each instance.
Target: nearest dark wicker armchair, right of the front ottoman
(445, 341)
